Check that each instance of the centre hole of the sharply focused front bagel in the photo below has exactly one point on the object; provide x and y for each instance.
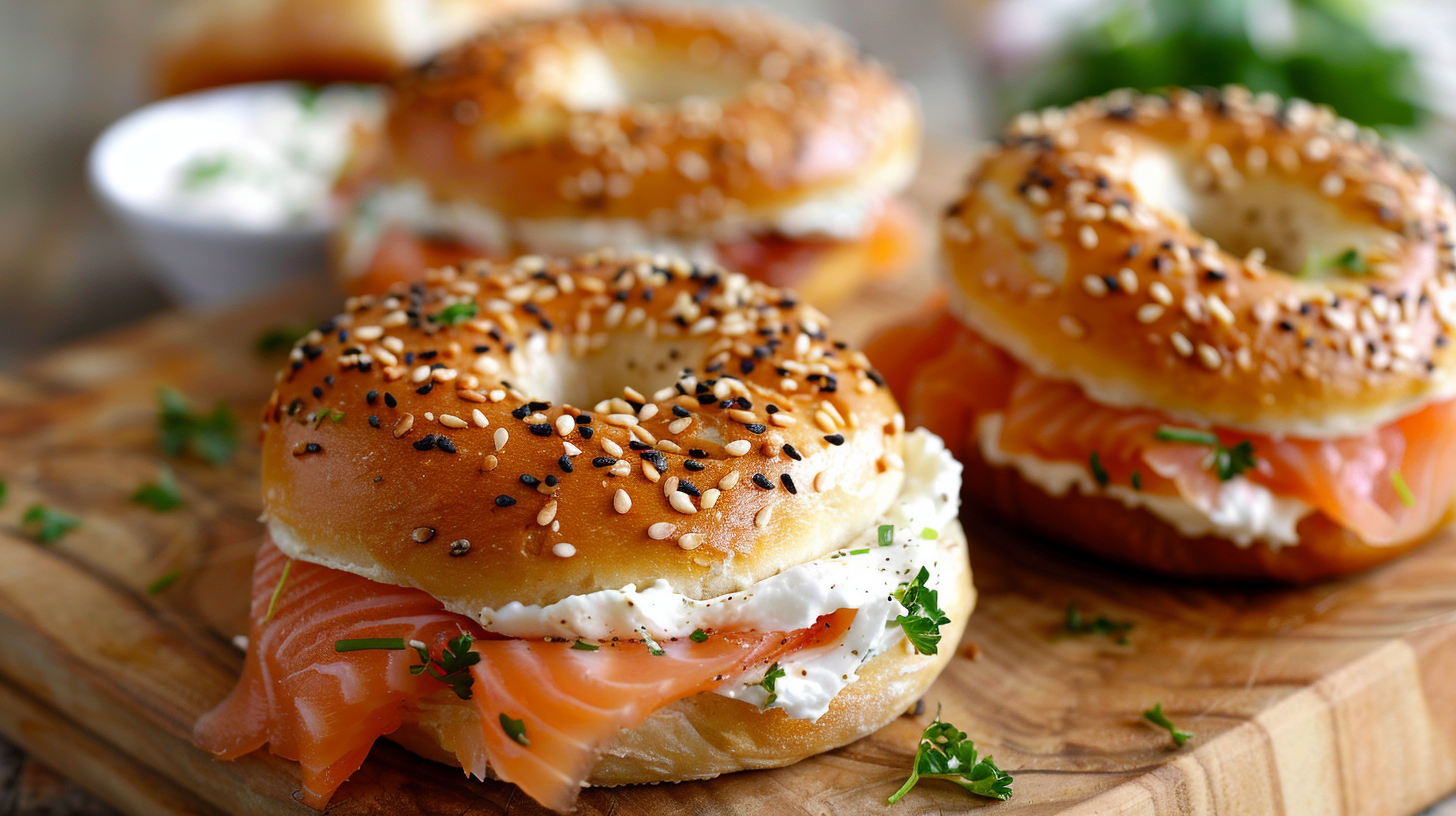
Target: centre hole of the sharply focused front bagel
(628, 361)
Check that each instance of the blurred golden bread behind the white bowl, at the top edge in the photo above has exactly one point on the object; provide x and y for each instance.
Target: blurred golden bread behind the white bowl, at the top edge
(213, 43)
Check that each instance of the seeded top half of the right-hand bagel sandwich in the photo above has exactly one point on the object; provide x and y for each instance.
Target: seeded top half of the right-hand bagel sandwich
(1227, 259)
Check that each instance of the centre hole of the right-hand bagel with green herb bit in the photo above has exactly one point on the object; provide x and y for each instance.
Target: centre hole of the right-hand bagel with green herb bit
(1295, 227)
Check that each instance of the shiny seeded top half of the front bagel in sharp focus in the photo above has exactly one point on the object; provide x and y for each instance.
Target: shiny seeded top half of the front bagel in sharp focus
(528, 432)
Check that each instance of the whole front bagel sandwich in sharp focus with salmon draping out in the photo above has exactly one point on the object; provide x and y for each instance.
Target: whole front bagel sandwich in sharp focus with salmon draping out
(592, 522)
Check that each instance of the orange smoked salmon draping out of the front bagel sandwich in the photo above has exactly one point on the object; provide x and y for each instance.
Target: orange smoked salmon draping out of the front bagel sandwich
(327, 709)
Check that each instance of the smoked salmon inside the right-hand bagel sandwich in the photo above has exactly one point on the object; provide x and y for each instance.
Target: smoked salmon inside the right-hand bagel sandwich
(1390, 486)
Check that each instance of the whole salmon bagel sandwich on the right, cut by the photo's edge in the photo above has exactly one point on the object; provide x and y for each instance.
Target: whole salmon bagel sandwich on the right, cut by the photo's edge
(1219, 315)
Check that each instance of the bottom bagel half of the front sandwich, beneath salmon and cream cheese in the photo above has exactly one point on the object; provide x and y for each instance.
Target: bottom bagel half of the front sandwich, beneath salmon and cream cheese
(708, 735)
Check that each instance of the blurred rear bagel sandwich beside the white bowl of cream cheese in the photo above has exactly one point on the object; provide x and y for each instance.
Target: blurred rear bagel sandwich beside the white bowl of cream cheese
(723, 135)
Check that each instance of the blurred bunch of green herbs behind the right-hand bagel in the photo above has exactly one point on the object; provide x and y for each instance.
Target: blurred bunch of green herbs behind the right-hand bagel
(1332, 58)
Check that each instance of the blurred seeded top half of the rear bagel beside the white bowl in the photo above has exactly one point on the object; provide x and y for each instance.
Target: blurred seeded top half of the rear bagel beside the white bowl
(746, 114)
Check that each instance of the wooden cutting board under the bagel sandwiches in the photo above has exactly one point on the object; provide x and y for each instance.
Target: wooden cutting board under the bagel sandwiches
(1330, 700)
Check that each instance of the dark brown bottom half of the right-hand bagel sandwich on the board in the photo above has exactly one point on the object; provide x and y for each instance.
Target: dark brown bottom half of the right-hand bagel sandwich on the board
(1107, 528)
